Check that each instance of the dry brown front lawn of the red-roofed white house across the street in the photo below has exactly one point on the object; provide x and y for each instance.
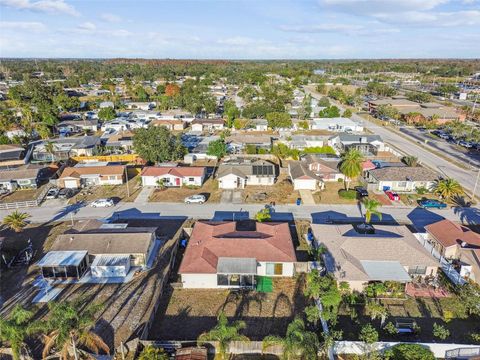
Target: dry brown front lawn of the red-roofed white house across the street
(209, 189)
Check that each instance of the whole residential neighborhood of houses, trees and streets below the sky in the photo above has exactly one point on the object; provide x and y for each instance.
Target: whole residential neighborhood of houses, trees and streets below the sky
(202, 209)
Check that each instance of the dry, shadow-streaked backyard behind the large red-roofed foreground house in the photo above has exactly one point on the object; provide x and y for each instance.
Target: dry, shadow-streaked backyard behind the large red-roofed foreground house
(264, 313)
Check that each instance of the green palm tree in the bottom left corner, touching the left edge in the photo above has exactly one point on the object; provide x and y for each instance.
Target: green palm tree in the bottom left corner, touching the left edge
(16, 328)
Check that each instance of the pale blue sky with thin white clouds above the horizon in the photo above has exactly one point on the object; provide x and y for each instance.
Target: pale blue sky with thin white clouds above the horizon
(240, 29)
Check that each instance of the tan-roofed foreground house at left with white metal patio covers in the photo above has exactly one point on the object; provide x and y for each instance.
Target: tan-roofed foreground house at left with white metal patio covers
(107, 250)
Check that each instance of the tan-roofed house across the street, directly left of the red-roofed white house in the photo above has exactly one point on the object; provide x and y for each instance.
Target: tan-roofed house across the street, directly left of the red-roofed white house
(91, 175)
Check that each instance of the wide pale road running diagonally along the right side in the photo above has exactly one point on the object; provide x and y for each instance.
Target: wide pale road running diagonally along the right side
(409, 146)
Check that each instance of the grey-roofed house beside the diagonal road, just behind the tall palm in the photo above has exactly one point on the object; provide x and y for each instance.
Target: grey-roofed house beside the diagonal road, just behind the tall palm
(368, 145)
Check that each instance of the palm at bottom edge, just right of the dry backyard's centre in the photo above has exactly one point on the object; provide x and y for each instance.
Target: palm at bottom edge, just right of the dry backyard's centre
(297, 343)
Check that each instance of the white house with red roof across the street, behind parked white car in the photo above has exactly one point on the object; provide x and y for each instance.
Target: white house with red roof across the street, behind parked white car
(173, 176)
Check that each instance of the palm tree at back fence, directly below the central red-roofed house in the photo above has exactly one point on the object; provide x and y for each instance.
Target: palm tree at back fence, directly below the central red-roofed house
(224, 333)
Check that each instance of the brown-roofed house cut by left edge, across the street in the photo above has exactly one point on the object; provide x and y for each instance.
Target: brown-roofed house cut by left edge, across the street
(24, 177)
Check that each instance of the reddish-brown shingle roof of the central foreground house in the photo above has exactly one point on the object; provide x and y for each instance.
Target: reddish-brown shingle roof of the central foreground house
(211, 240)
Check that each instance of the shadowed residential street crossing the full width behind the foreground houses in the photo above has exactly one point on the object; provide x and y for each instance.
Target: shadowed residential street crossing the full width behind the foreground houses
(315, 213)
